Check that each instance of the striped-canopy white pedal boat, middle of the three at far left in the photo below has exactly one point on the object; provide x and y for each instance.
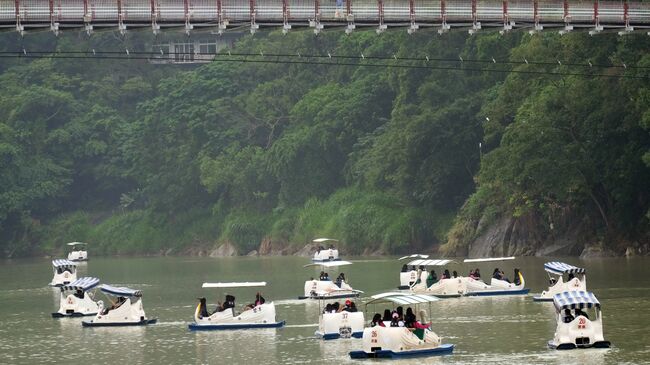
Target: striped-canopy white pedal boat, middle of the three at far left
(76, 300)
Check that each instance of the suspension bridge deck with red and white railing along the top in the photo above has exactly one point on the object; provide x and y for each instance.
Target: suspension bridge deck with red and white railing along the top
(220, 15)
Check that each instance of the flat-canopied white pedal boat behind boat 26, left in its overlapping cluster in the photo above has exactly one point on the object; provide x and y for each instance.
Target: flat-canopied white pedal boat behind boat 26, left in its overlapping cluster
(443, 288)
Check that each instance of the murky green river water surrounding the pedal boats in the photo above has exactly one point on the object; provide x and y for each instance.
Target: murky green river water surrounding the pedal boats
(511, 330)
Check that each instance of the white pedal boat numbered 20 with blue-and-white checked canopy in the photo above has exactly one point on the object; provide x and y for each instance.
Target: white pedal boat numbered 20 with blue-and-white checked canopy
(577, 331)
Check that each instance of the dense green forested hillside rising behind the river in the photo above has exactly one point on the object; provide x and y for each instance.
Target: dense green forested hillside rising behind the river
(141, 158)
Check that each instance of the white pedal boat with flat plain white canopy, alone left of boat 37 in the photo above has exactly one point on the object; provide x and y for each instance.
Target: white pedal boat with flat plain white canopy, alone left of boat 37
(258, 316)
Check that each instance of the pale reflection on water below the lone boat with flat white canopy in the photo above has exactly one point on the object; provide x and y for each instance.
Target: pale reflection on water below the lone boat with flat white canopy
(235, 347)
